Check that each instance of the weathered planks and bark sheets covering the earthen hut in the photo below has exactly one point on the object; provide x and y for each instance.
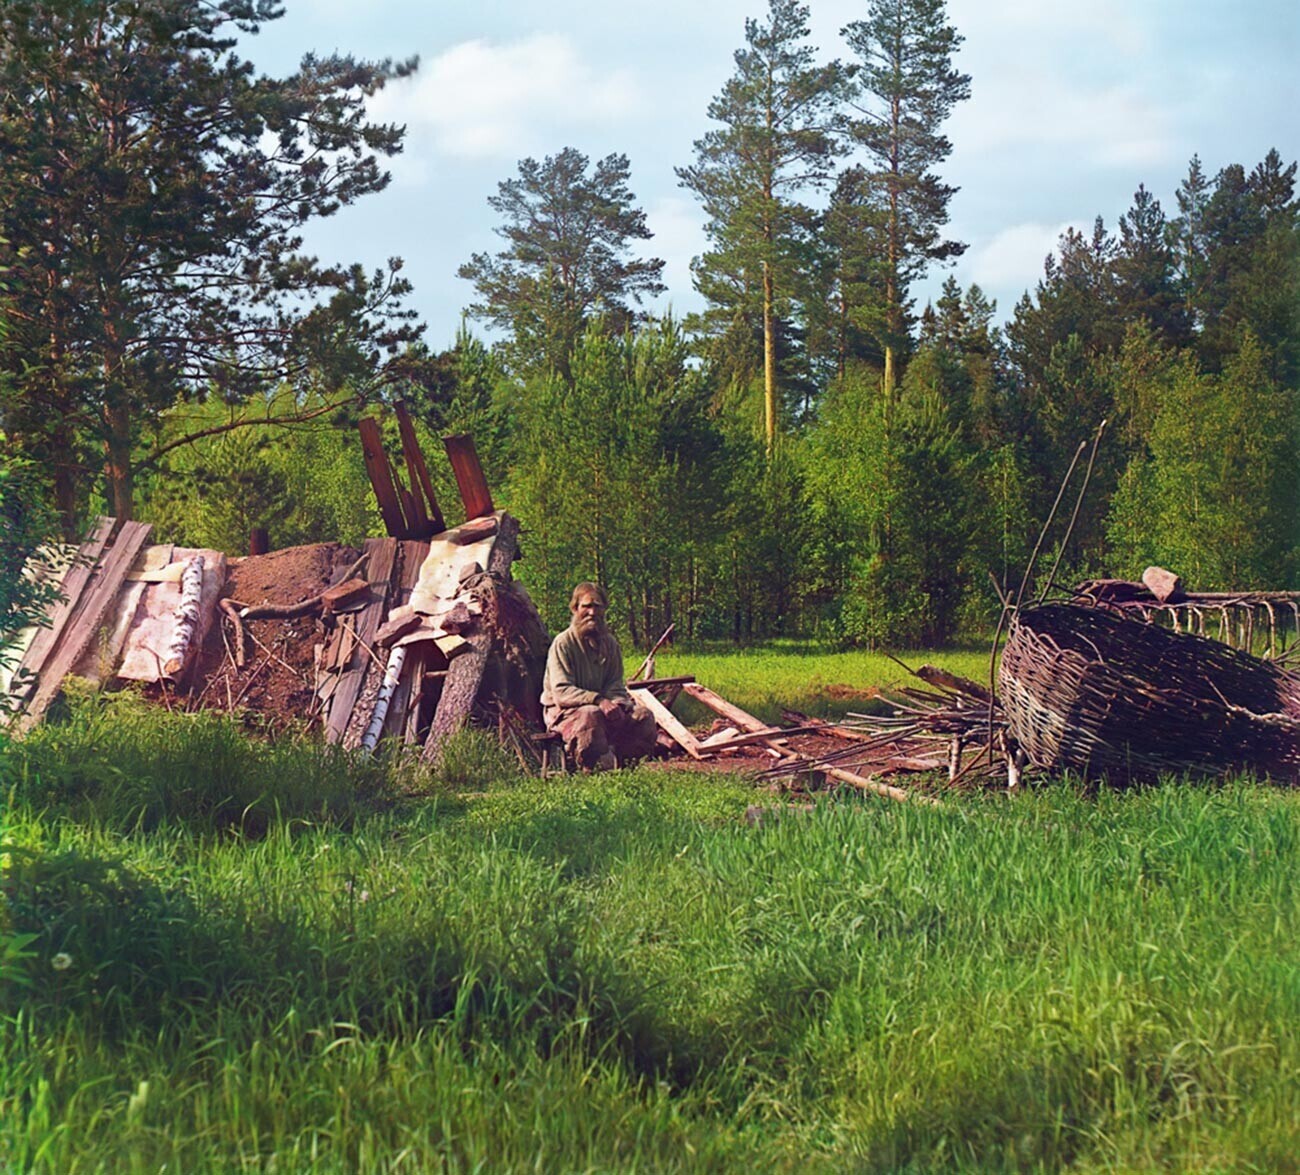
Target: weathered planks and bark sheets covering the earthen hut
(417, 638)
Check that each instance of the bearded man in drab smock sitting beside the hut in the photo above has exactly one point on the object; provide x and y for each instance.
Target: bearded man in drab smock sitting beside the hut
(584, 696)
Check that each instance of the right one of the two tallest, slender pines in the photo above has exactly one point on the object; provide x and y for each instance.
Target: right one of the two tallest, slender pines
(907, 90)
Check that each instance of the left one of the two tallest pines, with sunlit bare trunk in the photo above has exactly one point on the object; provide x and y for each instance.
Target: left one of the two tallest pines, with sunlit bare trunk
(773, 148)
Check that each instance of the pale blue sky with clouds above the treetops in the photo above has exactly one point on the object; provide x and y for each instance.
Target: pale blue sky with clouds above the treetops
(1073, 106)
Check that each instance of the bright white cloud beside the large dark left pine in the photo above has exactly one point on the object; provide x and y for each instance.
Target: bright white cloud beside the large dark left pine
(483, 101)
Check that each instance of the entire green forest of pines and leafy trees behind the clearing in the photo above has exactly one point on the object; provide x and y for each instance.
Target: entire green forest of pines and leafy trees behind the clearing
(820, 453)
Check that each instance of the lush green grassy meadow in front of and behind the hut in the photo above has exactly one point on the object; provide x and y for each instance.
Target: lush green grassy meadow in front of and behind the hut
(224, 956)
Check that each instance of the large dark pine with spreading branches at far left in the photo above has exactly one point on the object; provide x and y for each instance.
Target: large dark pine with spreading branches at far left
(151, 194)
